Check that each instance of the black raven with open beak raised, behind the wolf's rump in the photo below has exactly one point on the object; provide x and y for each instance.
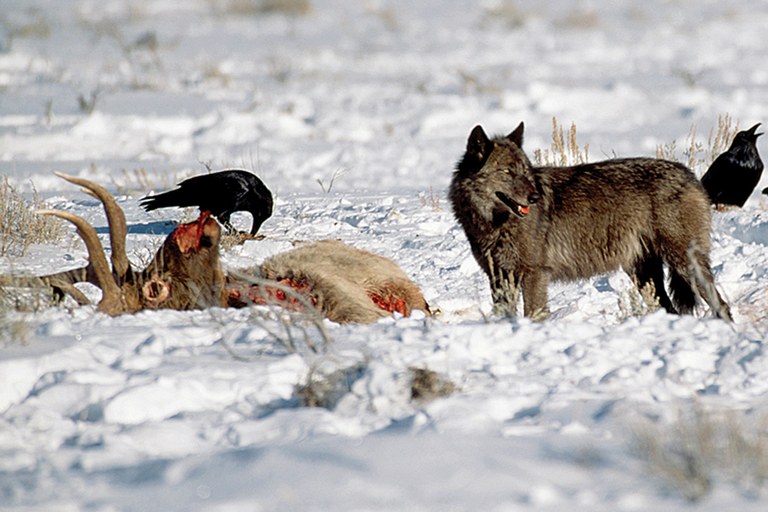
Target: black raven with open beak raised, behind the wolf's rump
(734, 174)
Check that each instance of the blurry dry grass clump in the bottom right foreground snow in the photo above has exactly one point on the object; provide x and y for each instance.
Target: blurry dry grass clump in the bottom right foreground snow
(700, 448)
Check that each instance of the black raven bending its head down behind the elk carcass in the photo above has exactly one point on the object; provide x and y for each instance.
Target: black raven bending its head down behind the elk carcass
(221, 193)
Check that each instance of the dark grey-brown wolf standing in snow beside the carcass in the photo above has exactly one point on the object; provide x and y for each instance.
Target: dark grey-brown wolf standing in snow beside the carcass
(530, 225)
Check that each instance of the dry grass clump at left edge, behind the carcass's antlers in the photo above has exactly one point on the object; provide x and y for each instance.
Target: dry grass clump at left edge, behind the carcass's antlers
(20, 227)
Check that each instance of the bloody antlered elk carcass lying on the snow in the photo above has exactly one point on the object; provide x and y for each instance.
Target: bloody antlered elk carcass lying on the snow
(344, 283)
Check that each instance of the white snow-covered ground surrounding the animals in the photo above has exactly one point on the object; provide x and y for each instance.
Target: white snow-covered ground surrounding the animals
(354, 114)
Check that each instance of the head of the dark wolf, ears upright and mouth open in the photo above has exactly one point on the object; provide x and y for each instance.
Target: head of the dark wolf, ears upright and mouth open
(497, 175)
